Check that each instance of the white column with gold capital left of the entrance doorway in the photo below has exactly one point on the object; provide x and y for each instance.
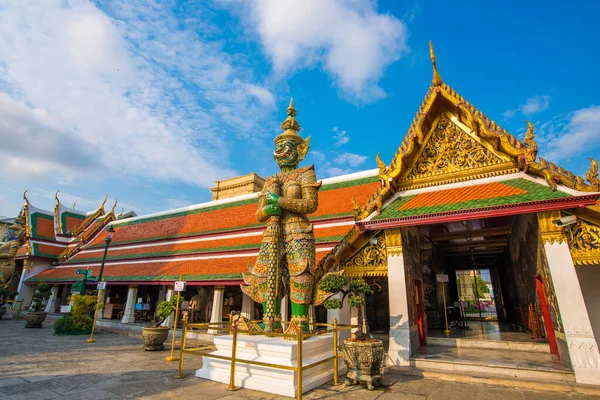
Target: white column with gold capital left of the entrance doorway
(399, 345)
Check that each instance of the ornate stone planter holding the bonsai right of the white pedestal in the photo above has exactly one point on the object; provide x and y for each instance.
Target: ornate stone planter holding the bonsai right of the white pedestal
(364, 361)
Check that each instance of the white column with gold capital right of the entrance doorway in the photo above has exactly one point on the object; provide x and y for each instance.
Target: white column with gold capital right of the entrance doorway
(583, 349)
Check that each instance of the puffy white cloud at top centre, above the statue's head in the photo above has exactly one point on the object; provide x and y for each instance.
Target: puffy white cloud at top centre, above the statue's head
(349, 39)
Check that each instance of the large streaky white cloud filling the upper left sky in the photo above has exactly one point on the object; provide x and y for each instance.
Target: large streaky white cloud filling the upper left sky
(130, 90)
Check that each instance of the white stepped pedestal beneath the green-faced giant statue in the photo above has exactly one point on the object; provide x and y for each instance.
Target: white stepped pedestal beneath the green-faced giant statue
(276, 351)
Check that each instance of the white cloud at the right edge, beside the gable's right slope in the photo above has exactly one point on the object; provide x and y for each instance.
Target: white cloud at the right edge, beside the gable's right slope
(576, 134)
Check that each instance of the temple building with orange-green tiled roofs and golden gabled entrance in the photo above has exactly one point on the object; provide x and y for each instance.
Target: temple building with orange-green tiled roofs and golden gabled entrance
(467, 237)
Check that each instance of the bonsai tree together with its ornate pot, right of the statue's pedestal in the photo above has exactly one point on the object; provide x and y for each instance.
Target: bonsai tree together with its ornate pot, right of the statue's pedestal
(363, 355)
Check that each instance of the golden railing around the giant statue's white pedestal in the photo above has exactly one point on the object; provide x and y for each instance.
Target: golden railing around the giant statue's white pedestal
(205, 351)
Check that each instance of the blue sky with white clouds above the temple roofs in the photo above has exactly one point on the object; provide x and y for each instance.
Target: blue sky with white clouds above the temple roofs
(151, 102)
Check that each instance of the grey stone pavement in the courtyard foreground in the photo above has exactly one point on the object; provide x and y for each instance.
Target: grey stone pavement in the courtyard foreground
(35, 365)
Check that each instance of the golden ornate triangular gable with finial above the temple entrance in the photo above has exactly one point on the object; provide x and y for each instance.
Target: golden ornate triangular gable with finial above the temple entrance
(443, 103)
